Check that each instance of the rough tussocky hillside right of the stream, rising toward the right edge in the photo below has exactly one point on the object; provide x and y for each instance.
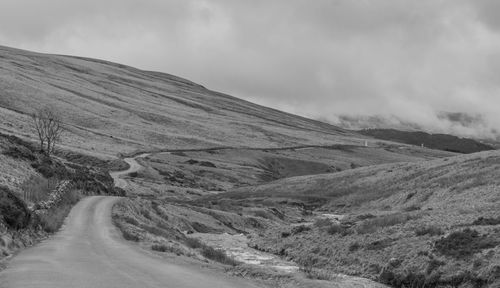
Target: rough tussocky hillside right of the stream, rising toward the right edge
(431, 223)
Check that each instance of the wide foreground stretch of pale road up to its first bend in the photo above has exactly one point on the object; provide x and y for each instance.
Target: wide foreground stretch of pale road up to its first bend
(89, 252)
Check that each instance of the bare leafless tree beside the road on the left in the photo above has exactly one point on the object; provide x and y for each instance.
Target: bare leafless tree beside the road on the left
(49, 128)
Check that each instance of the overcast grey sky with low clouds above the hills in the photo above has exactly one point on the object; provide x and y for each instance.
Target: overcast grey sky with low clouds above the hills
(434, 63)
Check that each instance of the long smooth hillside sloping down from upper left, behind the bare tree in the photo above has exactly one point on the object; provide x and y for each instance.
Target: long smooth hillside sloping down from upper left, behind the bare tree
(111, 108)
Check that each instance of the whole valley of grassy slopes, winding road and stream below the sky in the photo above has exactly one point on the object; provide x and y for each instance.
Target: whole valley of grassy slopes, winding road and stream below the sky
(170, 181)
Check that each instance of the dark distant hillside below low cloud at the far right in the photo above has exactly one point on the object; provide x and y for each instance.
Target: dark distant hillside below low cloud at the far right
(434, 141)
